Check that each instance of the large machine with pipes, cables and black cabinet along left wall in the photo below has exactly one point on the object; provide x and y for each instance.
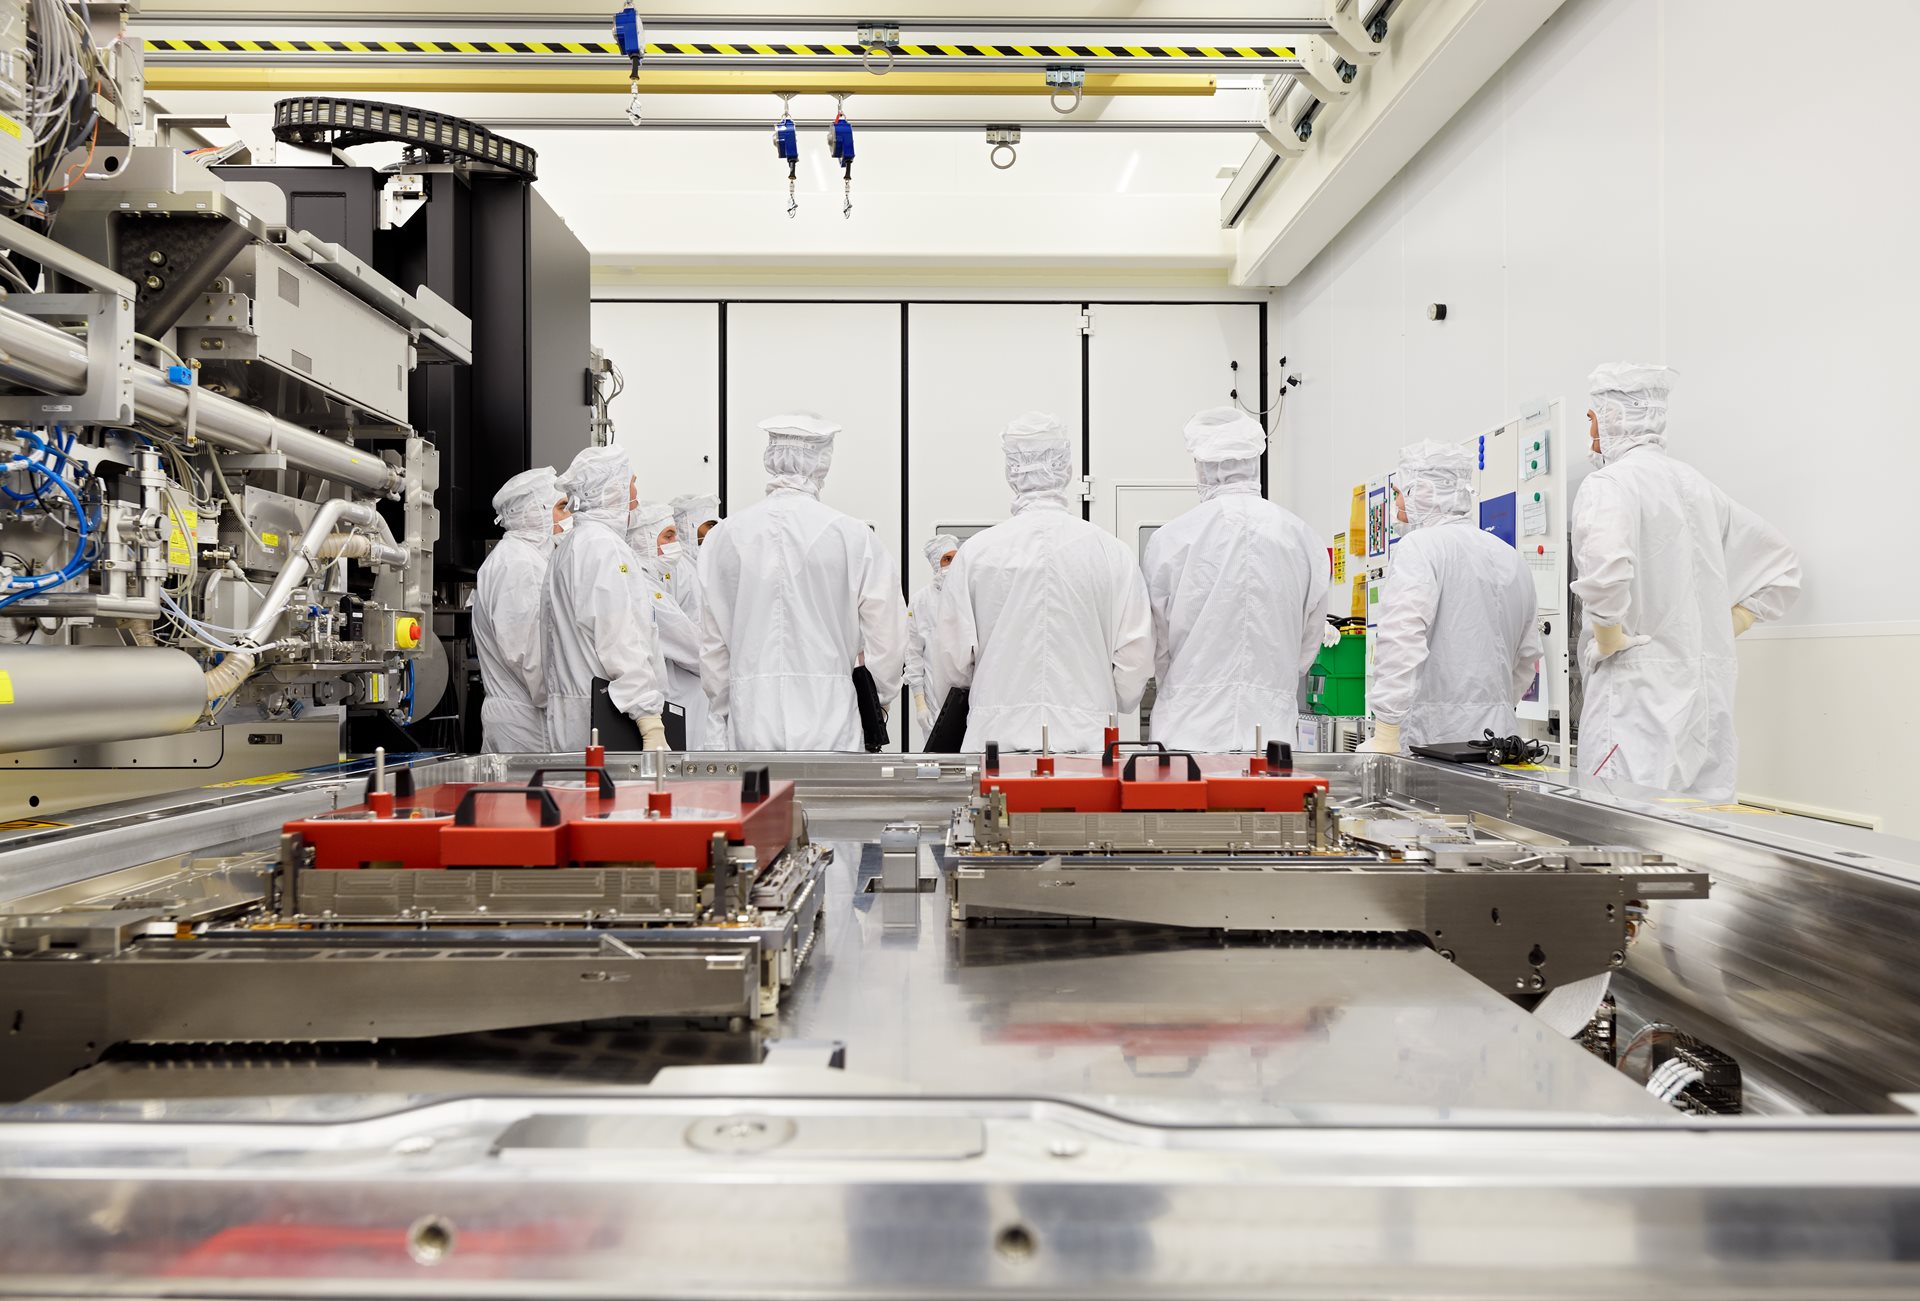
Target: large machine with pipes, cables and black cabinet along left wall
(235, 408)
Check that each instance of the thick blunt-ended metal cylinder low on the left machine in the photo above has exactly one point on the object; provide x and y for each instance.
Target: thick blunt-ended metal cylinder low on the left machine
(89, 696)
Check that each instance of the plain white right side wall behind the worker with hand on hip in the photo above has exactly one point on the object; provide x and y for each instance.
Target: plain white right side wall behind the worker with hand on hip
(1639, 185)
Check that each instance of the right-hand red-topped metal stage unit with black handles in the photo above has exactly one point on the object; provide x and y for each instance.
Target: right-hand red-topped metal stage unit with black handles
(1247, 845)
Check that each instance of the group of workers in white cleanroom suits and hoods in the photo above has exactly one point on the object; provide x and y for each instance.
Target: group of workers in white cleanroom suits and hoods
(754, 625)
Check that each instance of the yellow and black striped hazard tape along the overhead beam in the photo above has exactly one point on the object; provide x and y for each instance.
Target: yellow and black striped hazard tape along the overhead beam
(905, 55)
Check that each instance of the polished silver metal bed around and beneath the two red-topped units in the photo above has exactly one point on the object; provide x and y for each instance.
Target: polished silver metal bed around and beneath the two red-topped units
(1074, 1110)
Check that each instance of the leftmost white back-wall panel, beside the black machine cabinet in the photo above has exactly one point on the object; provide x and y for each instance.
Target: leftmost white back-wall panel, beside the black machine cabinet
(669, 415)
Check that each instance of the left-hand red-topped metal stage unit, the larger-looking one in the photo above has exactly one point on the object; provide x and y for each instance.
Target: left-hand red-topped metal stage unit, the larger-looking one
(437, 909)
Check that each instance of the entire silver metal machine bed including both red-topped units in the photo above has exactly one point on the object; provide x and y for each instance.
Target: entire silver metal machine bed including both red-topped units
(965, 1026)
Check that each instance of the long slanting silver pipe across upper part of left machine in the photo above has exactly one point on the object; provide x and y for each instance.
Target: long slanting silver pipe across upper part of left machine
(37, 356)
